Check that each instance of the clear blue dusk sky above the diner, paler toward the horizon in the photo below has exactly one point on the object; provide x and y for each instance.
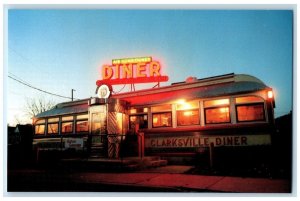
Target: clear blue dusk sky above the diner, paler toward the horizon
(60, 50)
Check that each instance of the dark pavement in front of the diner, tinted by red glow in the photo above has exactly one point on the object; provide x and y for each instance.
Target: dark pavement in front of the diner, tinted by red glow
(163, 179)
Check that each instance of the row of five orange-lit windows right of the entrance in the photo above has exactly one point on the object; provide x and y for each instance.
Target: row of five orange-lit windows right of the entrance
(247, 109)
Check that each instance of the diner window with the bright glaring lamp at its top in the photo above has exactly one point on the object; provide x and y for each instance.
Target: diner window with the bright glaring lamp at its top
(188, 113)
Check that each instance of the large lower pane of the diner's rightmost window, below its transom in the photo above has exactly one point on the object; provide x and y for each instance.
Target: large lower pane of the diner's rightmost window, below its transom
(250, 112)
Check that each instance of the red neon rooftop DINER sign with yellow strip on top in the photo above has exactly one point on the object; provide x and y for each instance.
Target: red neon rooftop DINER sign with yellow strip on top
(131, 71)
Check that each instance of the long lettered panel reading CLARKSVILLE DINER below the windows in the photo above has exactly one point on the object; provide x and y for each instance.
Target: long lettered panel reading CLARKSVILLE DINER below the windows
(196, 141)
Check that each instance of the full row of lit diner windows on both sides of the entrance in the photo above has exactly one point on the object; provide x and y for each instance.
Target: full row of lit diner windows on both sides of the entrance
(249, 108)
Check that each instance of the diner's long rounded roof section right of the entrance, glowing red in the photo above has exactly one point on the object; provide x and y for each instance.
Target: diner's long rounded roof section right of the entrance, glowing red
(228, 84)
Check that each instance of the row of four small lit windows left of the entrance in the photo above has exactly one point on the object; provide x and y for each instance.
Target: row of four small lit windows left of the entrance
(67, 125)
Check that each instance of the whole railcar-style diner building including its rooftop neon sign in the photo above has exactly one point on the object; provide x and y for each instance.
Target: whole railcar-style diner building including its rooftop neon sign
(180, 120)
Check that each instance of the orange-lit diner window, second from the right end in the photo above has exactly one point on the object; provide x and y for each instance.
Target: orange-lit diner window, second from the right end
(216, 111)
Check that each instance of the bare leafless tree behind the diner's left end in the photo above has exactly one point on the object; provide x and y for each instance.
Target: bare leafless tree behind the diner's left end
(36, 106)
